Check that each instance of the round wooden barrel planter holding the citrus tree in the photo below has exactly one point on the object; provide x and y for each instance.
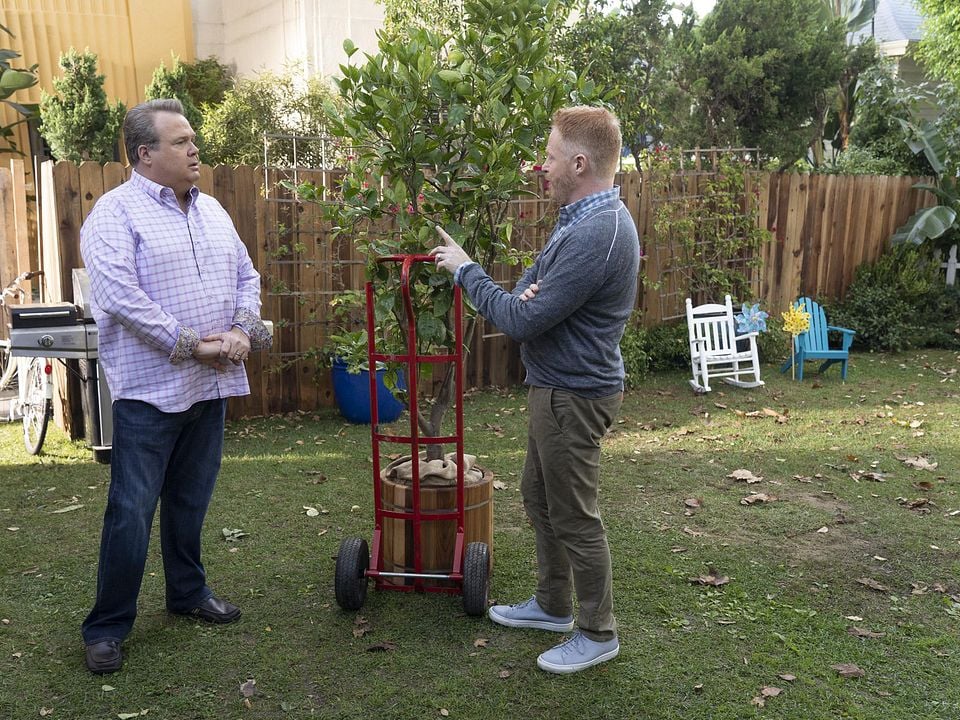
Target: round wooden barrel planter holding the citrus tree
(437, 537)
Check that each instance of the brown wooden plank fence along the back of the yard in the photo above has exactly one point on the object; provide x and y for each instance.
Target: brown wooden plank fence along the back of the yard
(822, 227)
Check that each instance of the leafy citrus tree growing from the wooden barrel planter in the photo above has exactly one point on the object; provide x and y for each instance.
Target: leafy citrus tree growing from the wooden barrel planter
(444, 127)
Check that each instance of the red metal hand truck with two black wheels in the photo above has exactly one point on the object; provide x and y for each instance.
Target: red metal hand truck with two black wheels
(469, 572)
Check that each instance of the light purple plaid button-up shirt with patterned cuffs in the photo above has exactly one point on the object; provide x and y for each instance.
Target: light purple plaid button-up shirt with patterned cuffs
(159, 277)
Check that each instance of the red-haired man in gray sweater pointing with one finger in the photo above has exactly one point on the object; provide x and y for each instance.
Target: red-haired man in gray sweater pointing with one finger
(568, 311)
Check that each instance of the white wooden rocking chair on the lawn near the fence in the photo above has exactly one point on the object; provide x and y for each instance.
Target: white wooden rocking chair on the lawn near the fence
(713, 348)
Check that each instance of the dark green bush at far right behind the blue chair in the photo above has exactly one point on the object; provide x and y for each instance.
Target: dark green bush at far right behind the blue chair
(900, 302)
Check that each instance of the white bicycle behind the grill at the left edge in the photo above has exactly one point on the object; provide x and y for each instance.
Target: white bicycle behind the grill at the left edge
(32, 378)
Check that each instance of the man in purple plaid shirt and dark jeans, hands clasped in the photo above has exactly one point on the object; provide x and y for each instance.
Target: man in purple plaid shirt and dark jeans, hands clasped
(176, 300)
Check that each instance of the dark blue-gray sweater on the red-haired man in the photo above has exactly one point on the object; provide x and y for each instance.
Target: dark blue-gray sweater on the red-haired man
(570, 330)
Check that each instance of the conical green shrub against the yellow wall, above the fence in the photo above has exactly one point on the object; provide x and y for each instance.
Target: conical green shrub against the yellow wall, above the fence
(77, 122)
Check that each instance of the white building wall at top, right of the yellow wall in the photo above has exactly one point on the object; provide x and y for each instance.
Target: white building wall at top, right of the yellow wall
(253, 35)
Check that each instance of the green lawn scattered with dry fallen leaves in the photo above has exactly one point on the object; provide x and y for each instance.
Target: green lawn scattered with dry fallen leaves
(850, 511)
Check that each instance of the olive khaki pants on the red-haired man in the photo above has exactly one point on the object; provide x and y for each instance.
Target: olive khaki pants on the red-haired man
(560, 483)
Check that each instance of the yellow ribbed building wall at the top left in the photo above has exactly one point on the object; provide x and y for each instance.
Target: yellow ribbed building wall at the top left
(130, 37)
